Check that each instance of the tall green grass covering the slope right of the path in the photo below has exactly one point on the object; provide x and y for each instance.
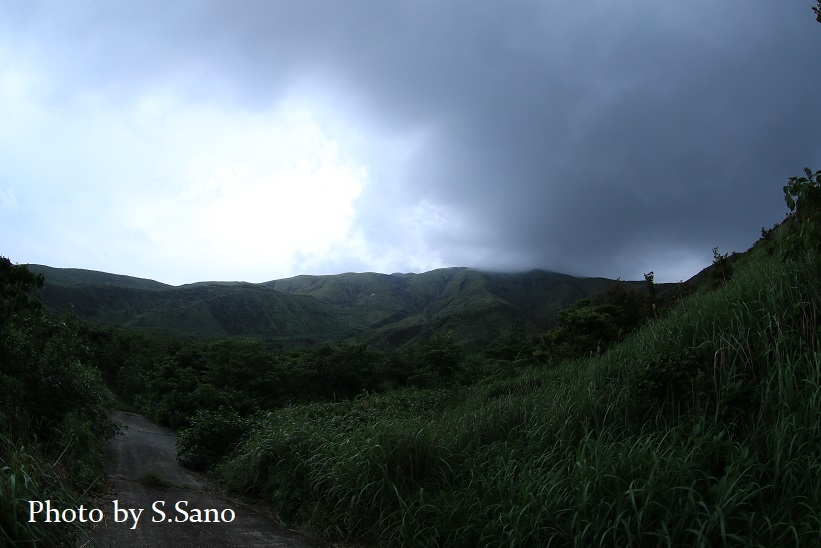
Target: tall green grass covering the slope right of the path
(702, 429)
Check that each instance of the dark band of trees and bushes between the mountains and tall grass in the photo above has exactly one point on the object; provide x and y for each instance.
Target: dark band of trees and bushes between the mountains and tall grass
(214, 391)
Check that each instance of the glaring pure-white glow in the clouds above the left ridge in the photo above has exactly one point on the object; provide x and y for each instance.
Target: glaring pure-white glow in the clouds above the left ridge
(253, 194)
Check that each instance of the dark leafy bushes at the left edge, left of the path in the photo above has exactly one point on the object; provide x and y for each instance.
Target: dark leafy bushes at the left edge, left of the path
(53, 413)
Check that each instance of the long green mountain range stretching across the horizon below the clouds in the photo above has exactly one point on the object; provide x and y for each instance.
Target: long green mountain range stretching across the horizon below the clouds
(395, 309)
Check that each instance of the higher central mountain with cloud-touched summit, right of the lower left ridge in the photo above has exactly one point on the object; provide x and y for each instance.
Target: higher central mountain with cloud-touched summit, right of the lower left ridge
(476, 306)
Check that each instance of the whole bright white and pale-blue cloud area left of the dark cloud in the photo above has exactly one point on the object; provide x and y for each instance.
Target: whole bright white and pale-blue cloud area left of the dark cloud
(204, 190)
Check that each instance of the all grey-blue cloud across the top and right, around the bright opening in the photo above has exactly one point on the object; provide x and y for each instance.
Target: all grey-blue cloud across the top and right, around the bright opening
(592, 138)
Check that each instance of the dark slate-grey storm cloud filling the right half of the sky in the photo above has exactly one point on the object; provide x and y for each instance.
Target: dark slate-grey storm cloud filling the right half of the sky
(641, 139)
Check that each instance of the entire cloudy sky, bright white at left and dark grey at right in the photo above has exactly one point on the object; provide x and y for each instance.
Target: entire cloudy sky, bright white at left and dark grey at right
(257, 140)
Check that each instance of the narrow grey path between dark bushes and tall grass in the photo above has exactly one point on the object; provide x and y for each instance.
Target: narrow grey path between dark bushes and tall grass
(144, 474)
